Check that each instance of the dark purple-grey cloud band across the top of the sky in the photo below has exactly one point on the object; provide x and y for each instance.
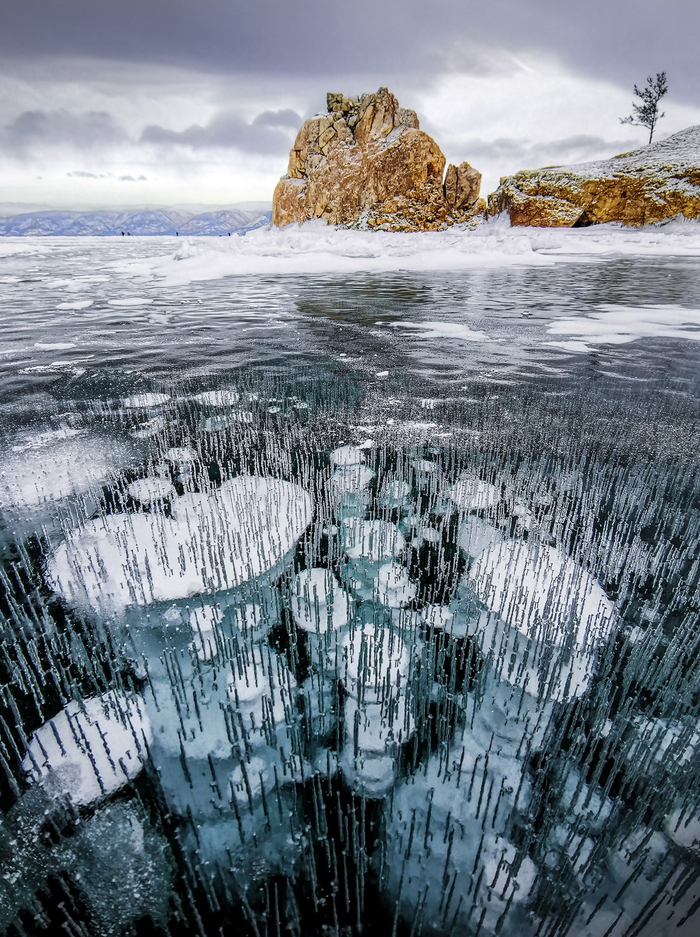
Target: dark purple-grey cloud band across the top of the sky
(622, 40)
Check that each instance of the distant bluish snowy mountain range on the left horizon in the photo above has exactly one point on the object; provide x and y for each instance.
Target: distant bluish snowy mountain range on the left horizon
(146, 222)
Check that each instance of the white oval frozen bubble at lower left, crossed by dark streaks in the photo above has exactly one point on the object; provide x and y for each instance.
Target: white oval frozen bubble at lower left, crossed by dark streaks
(90, 749)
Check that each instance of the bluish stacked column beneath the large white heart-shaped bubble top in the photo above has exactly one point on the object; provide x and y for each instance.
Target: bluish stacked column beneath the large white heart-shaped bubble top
(226, 742)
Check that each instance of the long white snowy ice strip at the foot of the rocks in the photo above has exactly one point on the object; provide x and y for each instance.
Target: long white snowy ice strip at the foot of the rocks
(316, 247)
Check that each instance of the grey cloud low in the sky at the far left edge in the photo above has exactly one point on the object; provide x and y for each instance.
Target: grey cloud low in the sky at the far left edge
(38, 129)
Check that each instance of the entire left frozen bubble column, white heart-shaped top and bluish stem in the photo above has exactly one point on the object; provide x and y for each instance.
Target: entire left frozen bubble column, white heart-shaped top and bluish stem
(221, 703)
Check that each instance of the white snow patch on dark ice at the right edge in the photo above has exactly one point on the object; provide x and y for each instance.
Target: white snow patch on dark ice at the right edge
(618, 325)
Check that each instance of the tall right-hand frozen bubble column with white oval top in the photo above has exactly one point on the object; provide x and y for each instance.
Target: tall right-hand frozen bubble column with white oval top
(455, 861)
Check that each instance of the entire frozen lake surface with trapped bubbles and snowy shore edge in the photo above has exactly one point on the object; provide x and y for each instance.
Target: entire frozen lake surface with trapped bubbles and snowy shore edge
(350, 584)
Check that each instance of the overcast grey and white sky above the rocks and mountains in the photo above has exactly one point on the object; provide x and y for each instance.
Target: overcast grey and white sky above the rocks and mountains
(107, 103)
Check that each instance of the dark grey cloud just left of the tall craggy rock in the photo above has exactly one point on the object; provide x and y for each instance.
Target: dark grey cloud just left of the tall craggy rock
(227, 130)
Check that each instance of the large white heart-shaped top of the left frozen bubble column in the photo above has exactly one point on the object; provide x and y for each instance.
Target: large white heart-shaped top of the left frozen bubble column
(212, 542)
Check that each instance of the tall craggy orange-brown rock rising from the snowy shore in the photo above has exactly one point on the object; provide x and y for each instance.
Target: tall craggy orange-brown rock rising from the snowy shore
(366, 163)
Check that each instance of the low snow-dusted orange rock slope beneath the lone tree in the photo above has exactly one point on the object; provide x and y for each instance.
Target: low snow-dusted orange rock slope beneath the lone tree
(650, 184)
